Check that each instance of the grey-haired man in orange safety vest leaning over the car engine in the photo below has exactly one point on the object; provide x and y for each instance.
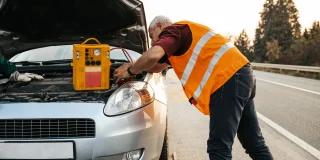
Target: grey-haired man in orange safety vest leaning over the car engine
(216, 78)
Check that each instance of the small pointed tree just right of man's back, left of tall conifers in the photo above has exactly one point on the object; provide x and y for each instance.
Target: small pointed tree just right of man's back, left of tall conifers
(243, 44)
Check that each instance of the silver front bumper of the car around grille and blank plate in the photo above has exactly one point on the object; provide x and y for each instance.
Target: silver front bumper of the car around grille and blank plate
(114, 136)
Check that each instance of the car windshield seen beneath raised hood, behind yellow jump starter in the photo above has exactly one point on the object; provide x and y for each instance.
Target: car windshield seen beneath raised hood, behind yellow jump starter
(63, 52)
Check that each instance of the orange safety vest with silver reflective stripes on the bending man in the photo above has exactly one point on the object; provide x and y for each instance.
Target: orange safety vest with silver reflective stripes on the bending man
(210, 61)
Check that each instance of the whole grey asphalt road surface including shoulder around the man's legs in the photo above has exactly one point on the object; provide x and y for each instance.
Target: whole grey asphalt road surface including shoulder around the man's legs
(295, 110)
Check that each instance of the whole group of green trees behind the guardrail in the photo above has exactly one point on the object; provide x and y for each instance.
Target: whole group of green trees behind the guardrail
(279, 39)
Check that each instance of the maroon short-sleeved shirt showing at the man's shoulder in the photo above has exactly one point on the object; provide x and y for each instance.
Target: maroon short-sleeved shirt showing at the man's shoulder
(175, 40)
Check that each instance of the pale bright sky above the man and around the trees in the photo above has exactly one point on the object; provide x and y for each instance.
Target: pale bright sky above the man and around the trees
(227, 17)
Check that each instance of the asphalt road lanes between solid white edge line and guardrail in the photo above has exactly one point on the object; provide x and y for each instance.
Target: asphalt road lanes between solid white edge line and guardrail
(295, 110)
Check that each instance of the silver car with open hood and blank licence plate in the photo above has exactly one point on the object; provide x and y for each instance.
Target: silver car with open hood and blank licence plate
(49, 119)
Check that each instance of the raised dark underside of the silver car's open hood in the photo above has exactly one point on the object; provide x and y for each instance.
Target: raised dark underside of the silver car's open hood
(29, 24)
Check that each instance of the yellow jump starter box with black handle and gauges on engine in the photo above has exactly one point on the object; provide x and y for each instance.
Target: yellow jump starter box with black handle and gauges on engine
(91, 66)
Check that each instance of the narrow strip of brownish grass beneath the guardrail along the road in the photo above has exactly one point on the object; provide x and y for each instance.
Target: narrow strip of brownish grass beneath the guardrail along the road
(290, 72)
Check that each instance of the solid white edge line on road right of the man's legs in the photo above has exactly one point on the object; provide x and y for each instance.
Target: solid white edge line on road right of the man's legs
(293, 138)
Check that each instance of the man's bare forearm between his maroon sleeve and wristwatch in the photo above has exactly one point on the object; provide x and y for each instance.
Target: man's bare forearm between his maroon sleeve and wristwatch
(148, 60)
